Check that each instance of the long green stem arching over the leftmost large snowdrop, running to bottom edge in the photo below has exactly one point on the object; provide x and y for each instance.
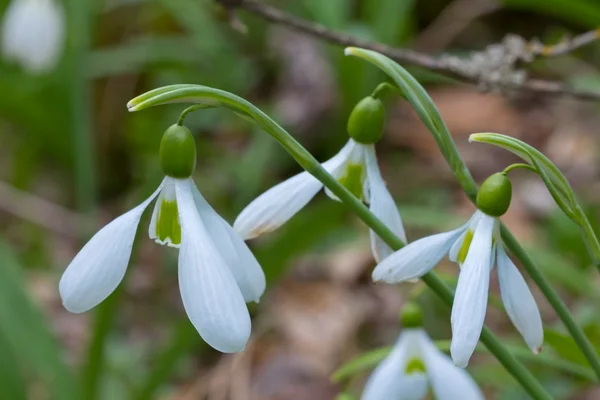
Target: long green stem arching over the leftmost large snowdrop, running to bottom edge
(213, 96)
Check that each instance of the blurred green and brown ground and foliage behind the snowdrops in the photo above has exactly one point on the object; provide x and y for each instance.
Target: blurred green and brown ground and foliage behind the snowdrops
(72, 158)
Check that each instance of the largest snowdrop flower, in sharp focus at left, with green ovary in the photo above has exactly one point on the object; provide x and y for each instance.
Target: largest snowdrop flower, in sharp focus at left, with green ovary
(217, 271)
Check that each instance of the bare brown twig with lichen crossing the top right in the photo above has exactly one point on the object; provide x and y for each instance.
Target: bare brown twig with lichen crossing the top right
(494, 68)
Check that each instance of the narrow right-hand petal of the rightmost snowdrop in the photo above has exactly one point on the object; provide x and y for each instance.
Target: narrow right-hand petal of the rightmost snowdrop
(519, 302)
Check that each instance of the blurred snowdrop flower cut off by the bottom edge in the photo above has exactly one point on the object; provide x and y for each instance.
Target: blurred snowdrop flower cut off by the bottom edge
(415, 365)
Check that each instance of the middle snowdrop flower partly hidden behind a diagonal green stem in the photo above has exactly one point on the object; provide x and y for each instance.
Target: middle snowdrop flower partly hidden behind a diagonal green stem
(355, 167)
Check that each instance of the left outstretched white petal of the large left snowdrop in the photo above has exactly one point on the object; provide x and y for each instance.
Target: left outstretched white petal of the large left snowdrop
(100, 265)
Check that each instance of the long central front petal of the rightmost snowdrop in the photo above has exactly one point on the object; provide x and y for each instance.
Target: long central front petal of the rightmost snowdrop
(470, 301)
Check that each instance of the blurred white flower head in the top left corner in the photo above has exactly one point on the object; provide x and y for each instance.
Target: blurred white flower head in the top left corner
(33, 34)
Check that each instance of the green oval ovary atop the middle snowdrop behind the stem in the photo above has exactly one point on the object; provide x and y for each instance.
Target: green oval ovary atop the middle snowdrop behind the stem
(366, 121)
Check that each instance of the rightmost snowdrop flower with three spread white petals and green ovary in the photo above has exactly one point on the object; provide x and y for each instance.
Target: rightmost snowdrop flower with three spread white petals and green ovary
(475, 246)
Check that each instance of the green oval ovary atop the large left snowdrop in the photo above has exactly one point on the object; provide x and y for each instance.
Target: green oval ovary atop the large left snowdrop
(177, 152)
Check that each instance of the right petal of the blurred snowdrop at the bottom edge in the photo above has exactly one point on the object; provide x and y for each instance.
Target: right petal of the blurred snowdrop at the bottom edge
(447, 380)
